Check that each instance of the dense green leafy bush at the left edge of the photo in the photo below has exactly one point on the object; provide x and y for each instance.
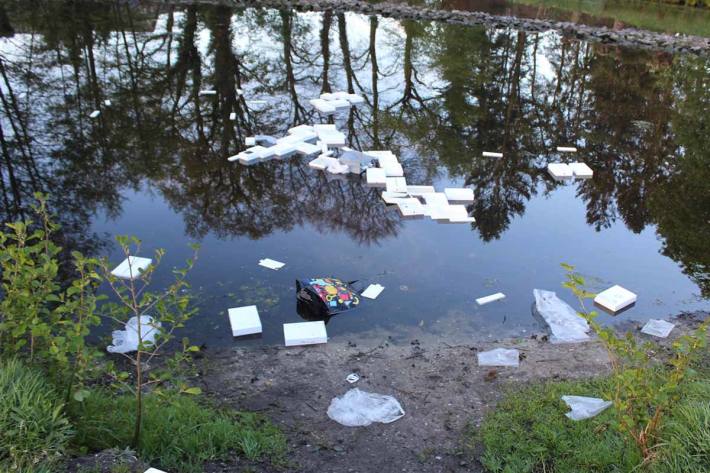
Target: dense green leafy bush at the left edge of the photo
(42, 320)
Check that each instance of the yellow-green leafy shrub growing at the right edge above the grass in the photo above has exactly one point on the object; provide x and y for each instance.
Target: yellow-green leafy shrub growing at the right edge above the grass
(643, 390)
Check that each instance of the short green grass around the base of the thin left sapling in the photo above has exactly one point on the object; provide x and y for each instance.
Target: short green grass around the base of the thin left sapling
(179, 434)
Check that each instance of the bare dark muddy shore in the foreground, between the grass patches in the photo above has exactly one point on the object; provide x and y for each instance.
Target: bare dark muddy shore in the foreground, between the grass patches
(440, 386)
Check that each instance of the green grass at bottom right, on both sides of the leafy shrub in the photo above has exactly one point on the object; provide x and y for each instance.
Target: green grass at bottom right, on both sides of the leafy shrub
(528, 432)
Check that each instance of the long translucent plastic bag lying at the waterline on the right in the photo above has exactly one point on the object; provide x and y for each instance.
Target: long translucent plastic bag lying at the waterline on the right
(565, 324)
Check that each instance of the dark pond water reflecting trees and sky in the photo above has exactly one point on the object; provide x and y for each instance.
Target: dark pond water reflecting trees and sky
(154, 163)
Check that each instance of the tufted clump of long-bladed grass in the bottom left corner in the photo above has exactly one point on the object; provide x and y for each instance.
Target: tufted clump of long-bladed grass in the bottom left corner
(33, 429)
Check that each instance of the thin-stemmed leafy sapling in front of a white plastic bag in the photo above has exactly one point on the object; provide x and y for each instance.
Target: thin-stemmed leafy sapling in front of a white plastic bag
(167, 310)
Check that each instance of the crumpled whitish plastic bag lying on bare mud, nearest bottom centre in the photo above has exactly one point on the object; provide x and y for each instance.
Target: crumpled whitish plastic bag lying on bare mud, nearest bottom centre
(358, 408)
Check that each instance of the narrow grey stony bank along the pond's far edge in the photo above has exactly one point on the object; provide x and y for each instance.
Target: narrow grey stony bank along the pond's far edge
(628, 37)
